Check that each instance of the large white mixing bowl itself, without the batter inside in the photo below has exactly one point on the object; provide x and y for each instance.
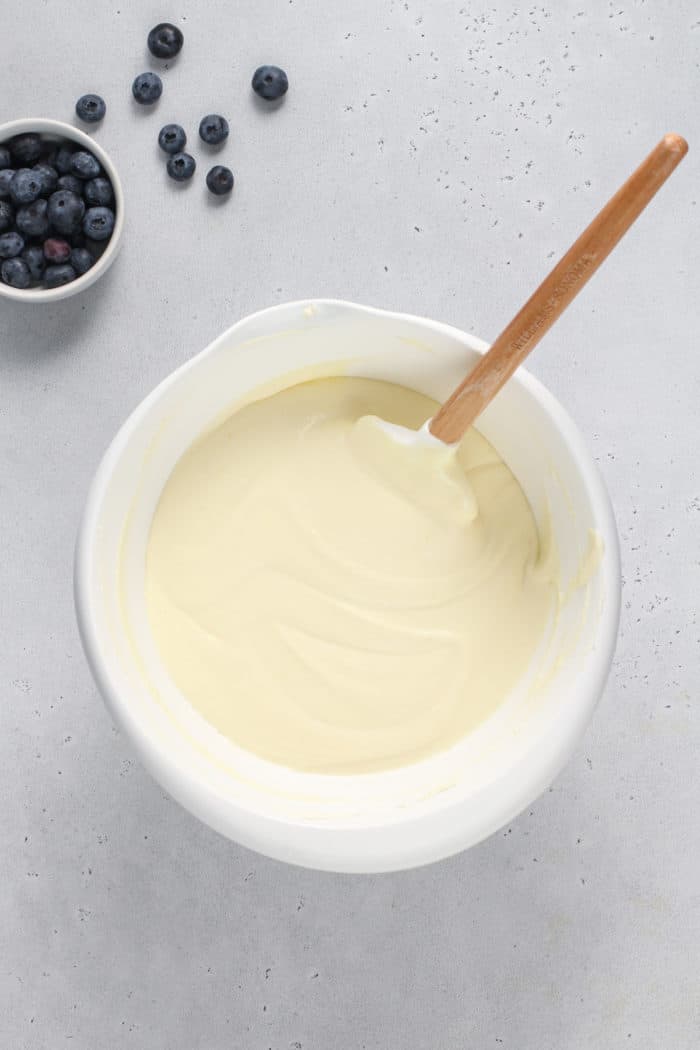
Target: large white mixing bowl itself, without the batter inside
(379, 822)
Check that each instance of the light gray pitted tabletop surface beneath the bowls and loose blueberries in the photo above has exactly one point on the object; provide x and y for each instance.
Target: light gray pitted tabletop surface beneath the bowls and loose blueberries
(433, 158)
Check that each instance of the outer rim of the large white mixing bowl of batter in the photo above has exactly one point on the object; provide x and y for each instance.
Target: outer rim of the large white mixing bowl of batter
(409, 842)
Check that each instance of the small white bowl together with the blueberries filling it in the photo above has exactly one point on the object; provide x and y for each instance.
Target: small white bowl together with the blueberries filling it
(61, 211)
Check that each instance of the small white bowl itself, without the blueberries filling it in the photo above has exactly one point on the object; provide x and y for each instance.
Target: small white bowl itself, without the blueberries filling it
(58, 130)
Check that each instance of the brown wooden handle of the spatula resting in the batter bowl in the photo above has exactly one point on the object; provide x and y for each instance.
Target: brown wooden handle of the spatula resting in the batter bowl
(557, 291)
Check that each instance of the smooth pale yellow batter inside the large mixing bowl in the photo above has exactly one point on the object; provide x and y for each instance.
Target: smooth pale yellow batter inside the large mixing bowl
(325, 618)
